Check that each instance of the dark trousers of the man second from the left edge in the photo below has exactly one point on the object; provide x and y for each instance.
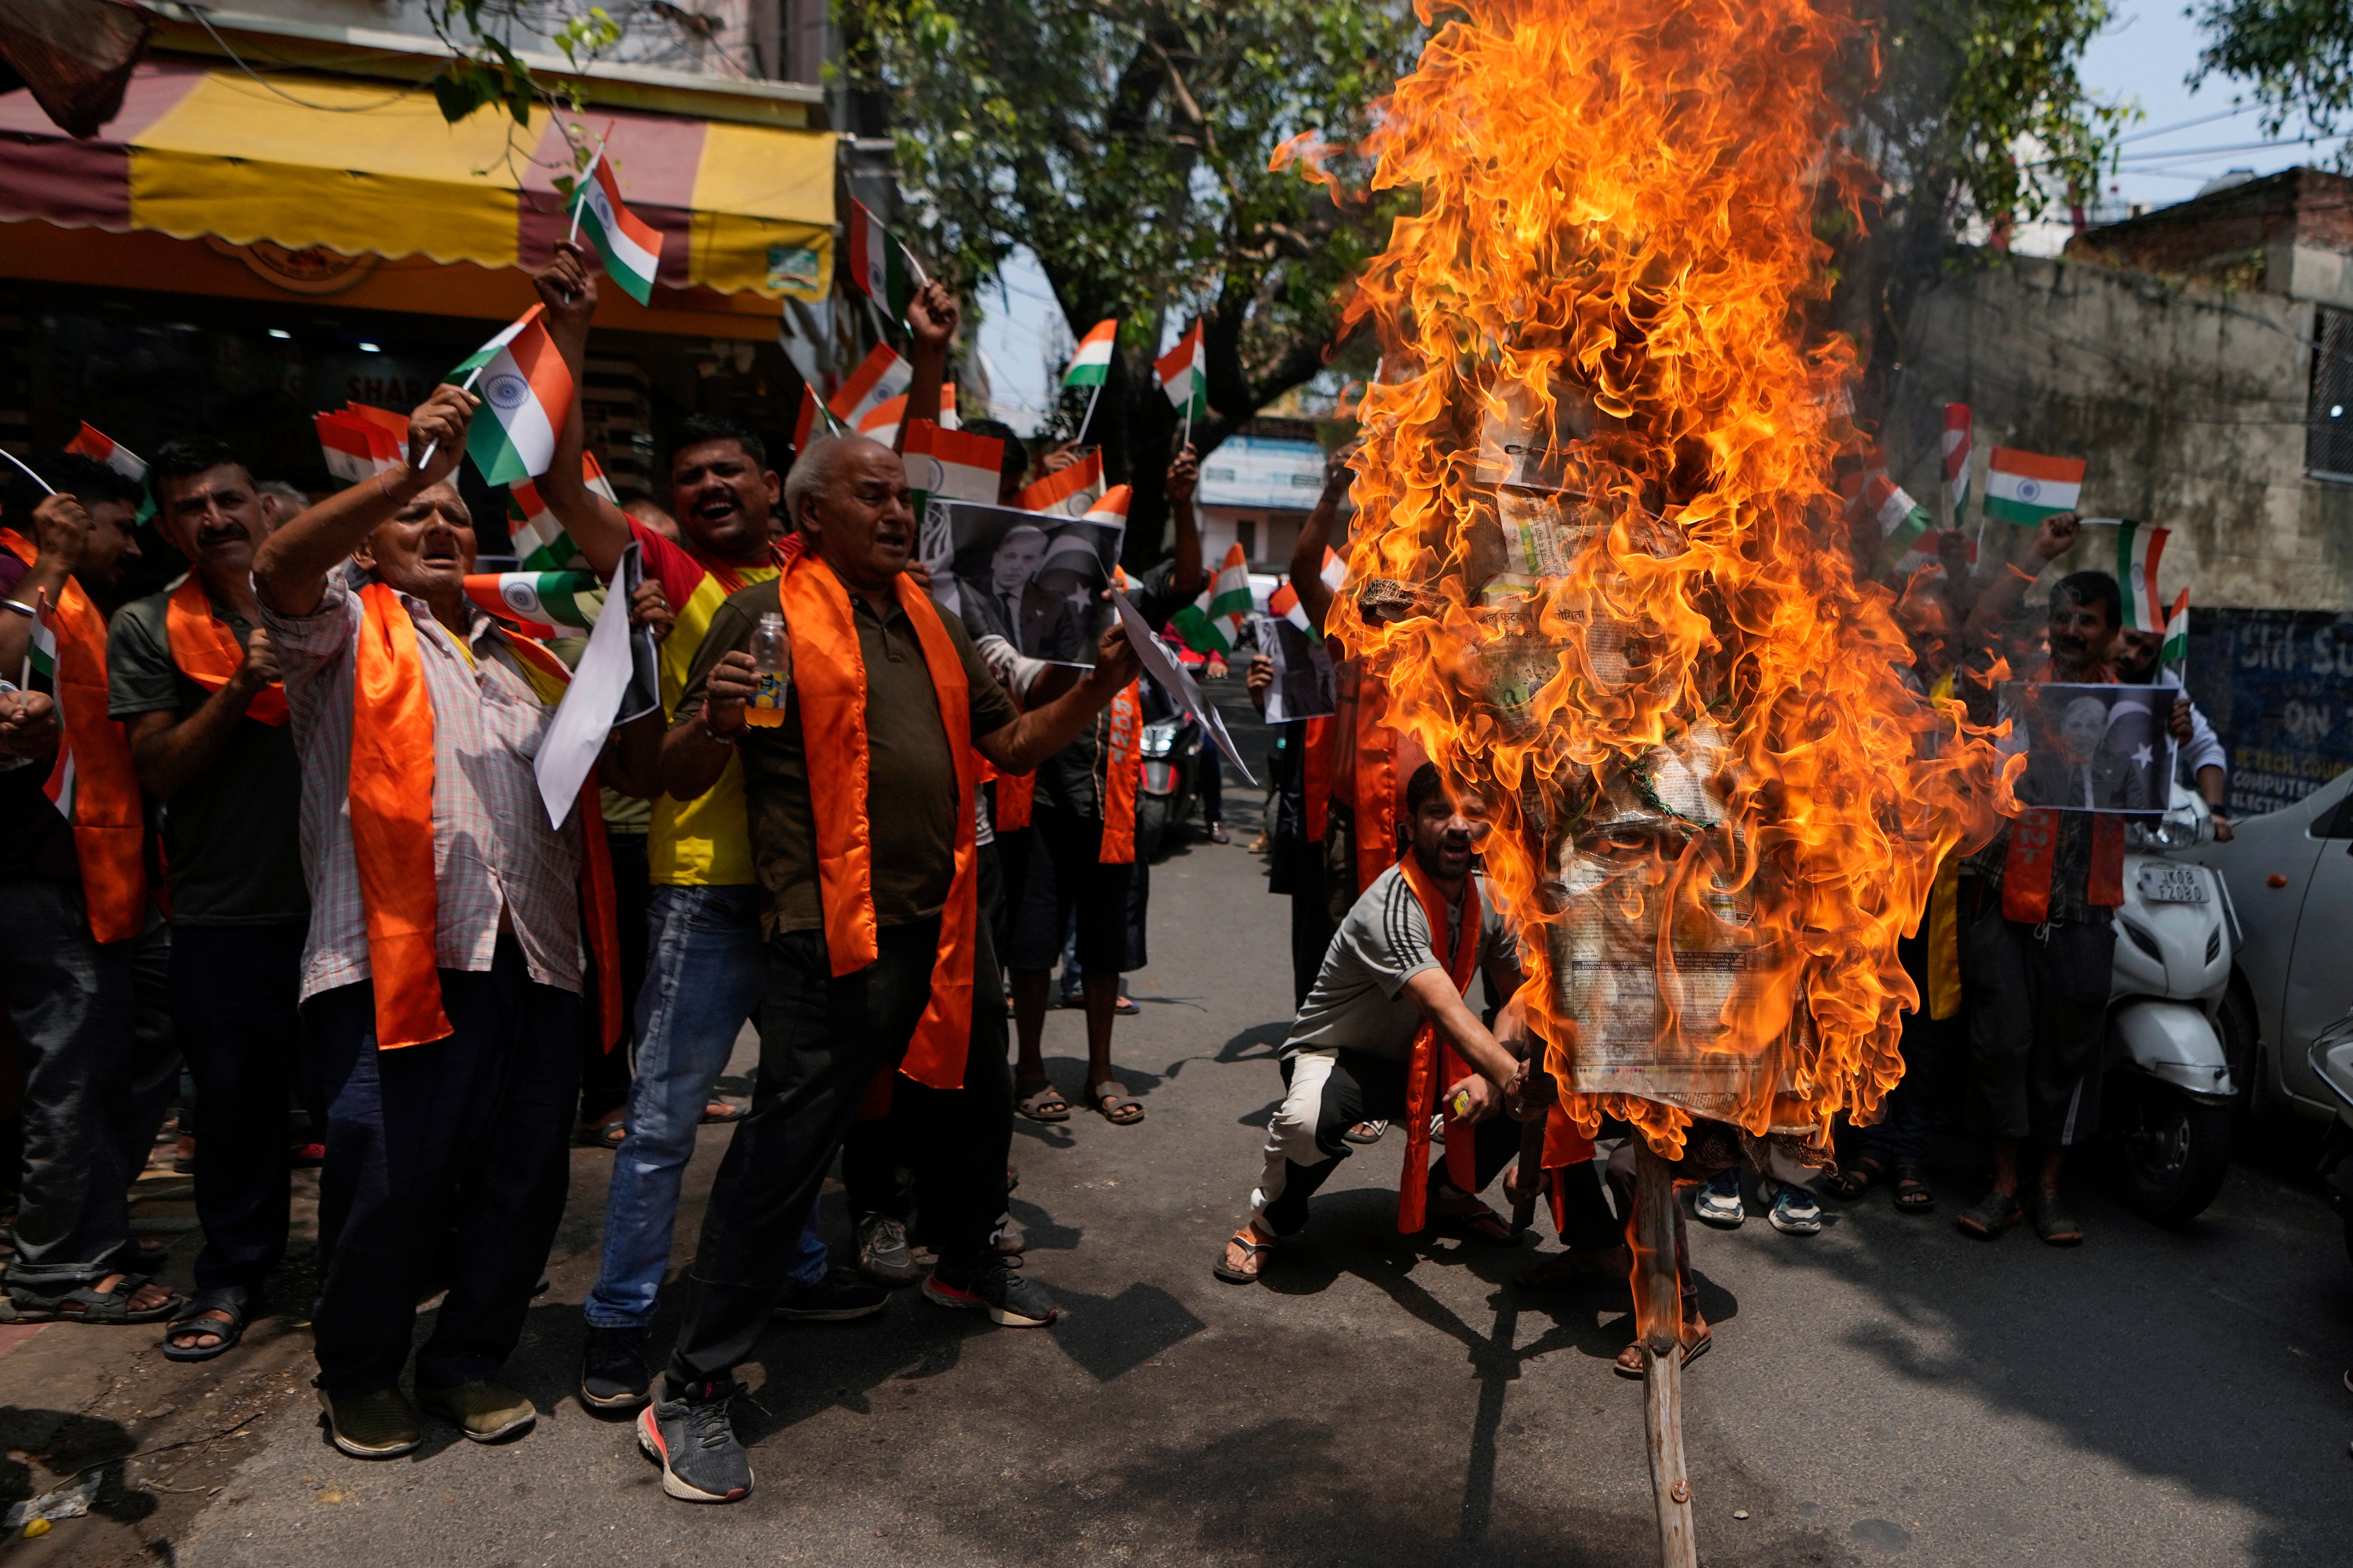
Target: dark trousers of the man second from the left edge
(239, 1024)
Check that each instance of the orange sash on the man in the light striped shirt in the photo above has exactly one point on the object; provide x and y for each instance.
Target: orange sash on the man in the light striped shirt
(392, 831)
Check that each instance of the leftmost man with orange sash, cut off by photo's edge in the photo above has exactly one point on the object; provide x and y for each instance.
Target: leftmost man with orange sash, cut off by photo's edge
(79, 930)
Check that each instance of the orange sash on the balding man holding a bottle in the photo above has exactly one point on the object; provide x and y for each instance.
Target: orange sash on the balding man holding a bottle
(829, 683)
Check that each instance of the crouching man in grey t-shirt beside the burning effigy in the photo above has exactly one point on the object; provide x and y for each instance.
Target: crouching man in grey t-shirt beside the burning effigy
(1368, 1040)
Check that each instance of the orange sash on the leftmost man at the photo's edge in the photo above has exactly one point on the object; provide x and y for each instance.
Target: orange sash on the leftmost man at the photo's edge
(109, 824)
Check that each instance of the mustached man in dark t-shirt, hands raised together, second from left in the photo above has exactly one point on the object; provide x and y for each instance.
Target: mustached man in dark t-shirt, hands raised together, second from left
(194, 678)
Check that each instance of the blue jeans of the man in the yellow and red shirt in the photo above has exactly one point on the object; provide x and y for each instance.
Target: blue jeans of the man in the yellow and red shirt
(702, 984)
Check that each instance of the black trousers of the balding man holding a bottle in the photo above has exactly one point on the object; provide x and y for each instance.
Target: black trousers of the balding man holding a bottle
(822, 1043)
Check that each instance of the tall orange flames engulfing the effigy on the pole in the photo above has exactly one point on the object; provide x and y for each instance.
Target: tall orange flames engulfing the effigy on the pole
(1604, 565)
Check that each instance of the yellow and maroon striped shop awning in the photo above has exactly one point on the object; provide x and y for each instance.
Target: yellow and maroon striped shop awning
(364, 168)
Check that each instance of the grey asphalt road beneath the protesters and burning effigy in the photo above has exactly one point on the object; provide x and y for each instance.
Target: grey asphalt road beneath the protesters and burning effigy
(1886, 1393)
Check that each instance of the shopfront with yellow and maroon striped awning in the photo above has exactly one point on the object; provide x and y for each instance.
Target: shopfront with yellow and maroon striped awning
(234, 255)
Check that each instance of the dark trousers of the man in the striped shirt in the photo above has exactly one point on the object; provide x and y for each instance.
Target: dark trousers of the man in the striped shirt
(446, 1162)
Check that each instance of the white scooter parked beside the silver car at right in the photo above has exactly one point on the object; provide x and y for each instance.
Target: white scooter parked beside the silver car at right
(2168, 1083)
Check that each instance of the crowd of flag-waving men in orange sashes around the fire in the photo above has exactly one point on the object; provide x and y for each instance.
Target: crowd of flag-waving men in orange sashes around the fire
(368, 902)
